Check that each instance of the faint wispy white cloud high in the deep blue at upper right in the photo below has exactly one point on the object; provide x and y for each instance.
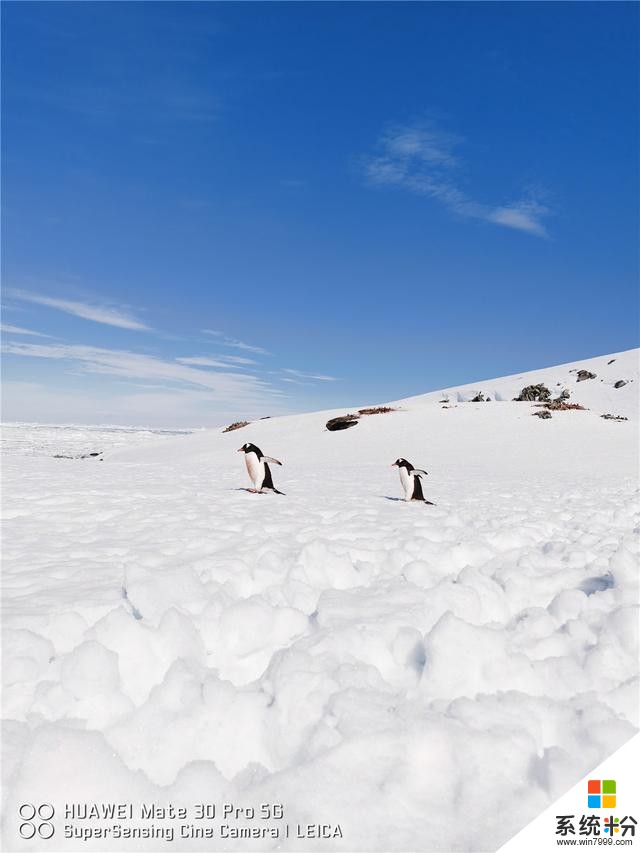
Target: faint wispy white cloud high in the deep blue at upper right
(422, 160)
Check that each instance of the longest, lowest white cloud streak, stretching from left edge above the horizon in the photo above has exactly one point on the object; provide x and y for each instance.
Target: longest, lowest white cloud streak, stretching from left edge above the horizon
(236, 387)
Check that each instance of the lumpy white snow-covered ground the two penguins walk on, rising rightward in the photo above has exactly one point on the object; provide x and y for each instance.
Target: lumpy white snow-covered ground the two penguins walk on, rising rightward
(427, 678)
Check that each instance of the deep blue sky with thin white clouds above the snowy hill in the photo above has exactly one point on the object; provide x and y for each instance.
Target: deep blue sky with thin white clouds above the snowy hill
(222, 210)
